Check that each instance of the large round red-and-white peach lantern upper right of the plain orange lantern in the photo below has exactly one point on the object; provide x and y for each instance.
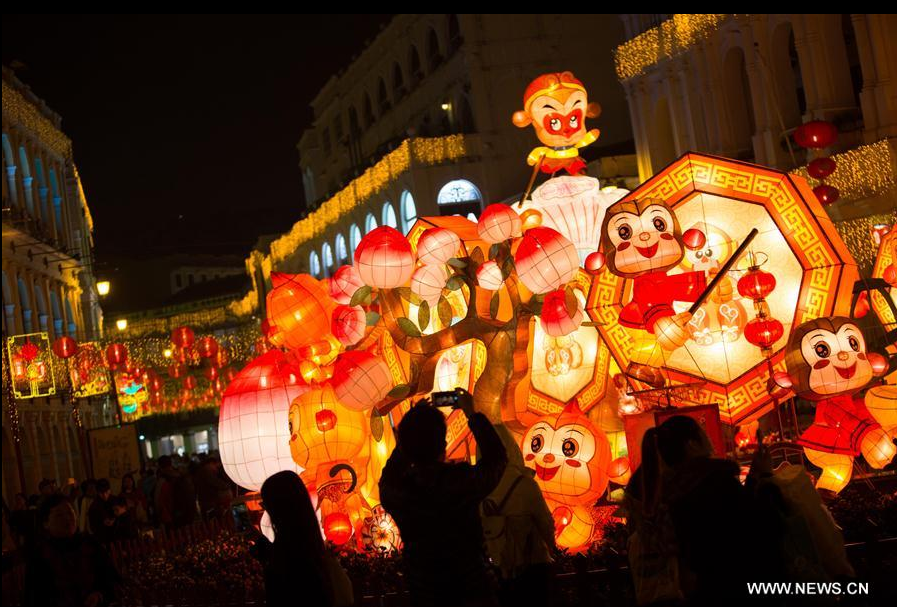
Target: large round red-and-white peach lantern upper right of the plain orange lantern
(384, 258)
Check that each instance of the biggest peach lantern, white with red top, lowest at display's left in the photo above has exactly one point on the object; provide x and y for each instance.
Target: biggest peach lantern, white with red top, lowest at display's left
(253, 433)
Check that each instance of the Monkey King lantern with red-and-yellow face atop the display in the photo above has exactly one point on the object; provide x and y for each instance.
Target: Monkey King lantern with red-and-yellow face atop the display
(557, 105)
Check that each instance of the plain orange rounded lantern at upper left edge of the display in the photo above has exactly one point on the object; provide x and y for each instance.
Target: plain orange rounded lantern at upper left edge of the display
(300, 308)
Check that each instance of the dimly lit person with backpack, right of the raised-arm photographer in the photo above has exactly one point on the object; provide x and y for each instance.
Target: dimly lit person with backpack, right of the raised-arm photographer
(519, 531)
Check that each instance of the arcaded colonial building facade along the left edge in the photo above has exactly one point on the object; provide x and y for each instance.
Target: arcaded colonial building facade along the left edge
(48, 286)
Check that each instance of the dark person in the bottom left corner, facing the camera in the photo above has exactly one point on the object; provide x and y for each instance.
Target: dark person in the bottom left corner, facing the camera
(66, 568)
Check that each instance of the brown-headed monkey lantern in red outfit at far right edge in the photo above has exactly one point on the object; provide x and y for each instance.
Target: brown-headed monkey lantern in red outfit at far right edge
(827, 362)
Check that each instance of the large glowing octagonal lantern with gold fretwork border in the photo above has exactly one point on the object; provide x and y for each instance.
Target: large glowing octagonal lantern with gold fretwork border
(799, 244)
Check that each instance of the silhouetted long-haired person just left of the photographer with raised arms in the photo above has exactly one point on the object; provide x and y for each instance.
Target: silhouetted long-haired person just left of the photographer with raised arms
(295, 568)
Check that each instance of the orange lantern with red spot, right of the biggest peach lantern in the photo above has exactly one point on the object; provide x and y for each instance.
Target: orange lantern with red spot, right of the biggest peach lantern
(324, 433)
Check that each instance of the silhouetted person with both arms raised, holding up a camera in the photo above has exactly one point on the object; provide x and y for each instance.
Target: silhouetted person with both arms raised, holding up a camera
(436, 506)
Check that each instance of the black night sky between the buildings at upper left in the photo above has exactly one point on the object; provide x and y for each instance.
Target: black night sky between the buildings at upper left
(184, 128)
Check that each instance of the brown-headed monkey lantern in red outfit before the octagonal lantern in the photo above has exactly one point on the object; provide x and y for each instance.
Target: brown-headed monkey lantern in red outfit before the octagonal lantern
(642, 240)
